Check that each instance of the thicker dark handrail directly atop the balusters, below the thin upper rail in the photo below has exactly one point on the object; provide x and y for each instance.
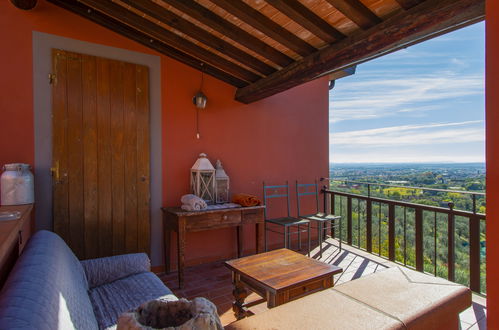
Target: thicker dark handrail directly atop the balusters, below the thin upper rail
(425, 207)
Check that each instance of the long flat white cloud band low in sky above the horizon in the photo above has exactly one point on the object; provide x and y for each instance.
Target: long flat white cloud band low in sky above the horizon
(407, 135)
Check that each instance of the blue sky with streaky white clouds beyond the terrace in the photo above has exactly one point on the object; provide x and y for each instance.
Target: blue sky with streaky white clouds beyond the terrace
(422, 104)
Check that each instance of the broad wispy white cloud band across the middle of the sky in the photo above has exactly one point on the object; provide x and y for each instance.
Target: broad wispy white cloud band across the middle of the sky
(384, 97)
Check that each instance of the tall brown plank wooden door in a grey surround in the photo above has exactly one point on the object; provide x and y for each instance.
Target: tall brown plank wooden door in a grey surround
(100, 152)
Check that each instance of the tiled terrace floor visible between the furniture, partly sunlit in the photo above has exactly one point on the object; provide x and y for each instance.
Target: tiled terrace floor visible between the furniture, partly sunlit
(213, 281)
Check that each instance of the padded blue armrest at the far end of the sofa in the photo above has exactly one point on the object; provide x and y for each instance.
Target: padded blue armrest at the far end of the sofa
(108, 269)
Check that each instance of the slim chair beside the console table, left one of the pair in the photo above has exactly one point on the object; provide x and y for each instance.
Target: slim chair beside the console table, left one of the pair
(287, 222)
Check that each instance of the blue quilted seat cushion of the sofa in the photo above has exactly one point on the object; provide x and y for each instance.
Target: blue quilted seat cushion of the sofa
(112, 299)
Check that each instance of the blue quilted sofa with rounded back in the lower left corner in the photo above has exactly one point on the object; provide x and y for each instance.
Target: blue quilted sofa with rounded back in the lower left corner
(49, 288)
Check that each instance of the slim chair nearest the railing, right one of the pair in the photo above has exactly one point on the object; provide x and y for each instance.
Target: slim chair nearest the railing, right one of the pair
(321, 218)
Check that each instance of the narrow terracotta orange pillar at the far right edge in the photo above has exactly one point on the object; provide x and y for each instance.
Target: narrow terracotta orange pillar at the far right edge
(492, 156)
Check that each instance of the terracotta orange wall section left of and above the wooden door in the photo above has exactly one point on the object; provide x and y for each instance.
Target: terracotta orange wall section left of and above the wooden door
(16, 80)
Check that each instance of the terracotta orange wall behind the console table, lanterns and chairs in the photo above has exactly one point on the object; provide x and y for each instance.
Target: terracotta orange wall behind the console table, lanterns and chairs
(281, 138)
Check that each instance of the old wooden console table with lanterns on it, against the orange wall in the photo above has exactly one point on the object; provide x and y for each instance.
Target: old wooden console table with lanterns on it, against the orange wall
(180, 221)
